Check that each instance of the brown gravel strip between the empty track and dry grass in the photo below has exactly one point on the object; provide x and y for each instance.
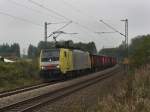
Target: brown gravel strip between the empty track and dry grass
(84, 100)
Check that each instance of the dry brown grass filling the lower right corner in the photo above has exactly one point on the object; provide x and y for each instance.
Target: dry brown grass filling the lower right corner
(131, 95)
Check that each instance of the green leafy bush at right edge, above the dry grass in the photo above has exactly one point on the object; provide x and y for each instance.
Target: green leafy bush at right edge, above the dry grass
(140, 50)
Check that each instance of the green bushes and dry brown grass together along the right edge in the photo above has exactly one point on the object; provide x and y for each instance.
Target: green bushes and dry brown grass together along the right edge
(133, 93)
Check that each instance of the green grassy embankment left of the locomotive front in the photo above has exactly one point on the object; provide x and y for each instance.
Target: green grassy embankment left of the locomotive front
(14, 75)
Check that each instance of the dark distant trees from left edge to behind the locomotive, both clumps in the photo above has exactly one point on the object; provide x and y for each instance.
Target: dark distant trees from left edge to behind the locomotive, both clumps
(34, 51)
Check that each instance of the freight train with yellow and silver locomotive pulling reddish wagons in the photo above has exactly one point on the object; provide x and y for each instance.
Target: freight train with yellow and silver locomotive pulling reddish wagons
(62, 62)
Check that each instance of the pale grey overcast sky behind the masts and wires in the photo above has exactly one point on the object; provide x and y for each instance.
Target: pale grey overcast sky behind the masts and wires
(22, 21)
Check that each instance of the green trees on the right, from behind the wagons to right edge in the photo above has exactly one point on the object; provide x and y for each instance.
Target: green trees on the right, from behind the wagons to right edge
(139, 51)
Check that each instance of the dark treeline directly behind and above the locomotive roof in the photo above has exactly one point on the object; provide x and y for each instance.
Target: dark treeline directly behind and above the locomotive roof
(34, 51)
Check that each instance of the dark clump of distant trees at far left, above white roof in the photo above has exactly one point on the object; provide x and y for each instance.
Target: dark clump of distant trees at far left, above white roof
(10, 50)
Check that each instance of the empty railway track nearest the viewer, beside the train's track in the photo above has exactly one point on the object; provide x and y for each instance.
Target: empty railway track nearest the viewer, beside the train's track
(74, 85)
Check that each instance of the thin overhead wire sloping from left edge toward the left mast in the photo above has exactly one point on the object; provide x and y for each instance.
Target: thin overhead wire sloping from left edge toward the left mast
(19, 18)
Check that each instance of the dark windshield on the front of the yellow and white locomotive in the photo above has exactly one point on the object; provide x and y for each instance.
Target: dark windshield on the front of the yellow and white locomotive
(50, 55)
